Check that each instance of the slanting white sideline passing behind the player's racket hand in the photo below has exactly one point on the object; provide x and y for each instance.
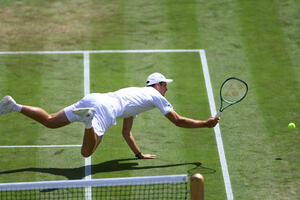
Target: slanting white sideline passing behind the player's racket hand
(217, 128)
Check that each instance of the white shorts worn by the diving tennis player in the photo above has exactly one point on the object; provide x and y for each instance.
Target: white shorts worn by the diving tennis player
(102, 119)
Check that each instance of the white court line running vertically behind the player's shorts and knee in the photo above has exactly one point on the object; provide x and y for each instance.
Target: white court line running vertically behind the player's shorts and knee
(87, 168)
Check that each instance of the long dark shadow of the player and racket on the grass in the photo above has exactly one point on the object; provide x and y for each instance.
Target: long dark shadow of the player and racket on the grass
(109, 166)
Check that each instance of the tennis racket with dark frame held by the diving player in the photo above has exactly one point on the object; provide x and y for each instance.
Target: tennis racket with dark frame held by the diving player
(233, 90)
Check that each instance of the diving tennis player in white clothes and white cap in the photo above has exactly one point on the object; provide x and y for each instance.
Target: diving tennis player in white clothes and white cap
(98, 111)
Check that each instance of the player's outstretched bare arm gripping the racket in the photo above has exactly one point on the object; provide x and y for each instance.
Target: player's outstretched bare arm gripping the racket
(185, 122)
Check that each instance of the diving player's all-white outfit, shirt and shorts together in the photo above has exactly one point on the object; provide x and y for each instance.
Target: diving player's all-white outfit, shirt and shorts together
(124, 103)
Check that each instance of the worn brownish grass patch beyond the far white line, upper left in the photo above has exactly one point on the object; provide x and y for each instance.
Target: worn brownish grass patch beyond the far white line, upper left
(51, 24)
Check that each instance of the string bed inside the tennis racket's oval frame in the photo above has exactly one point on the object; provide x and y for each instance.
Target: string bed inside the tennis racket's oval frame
(233, 90)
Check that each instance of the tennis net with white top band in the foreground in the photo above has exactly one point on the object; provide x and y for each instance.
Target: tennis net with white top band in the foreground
(150, 187)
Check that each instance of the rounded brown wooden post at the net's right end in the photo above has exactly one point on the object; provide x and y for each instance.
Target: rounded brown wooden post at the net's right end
(197, 187)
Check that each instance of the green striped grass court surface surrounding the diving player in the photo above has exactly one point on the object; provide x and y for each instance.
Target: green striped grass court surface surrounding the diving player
(257, 41)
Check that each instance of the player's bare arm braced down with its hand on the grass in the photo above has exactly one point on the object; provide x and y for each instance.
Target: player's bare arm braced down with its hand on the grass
(127, 134)
